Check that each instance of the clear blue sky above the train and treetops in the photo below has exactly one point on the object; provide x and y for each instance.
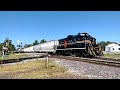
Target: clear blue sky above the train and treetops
(28, 26)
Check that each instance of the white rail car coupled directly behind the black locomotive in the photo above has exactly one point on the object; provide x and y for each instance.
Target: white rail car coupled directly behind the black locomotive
(49, 46)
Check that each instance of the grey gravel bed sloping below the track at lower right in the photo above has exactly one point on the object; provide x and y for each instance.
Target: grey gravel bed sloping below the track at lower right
(92, 71)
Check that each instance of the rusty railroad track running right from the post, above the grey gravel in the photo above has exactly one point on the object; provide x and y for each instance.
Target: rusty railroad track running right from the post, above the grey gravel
(102, 61)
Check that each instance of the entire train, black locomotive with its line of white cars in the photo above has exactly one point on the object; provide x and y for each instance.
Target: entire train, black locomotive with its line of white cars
(81, 44)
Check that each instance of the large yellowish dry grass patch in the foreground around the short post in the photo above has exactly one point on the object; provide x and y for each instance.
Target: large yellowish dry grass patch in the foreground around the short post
(32, 70)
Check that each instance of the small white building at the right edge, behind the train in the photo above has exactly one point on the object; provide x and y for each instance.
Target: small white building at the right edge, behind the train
(112, 48)
